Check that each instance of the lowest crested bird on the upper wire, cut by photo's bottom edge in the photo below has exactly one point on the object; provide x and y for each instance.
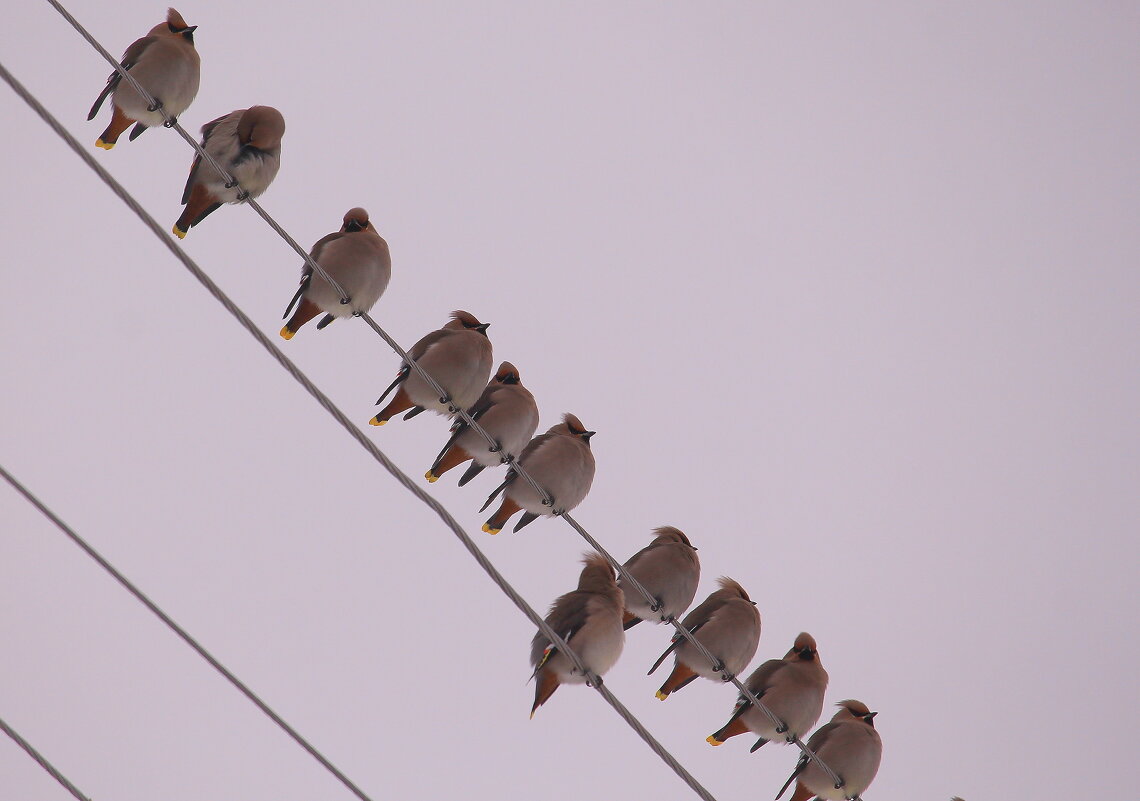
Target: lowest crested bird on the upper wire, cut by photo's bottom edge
(849, 746)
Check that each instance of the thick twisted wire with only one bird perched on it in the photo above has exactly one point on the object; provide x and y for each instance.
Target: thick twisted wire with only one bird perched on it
(593, 680)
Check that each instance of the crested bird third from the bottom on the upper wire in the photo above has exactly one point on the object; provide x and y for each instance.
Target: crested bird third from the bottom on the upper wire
(729, 627)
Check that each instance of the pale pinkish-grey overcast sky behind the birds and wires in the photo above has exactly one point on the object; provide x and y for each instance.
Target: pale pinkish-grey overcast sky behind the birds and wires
(849, 293)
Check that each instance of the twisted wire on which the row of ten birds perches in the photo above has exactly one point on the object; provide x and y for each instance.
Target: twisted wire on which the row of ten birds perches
(442, 394)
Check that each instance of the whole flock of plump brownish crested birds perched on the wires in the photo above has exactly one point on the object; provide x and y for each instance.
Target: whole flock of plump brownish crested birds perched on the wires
(593, 618)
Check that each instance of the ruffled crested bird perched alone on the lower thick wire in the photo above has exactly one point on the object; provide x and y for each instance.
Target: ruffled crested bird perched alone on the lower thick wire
(589, 620)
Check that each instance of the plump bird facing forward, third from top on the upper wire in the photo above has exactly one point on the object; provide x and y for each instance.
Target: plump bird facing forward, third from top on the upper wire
(356, 258)
